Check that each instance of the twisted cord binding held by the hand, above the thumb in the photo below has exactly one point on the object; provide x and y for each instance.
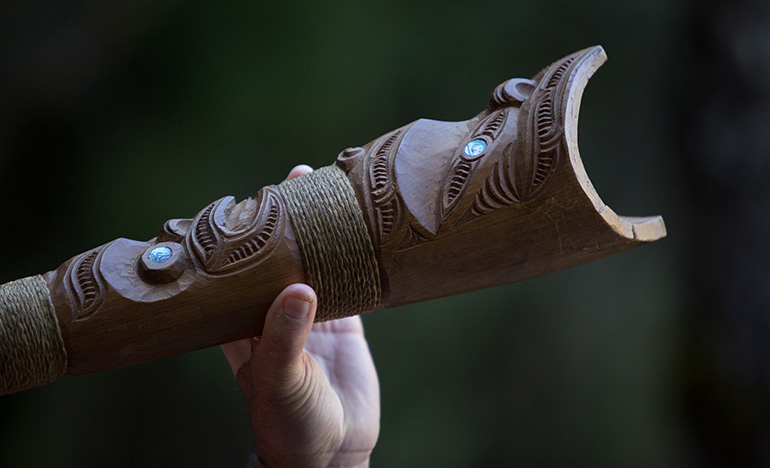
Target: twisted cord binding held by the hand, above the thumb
(334, 243)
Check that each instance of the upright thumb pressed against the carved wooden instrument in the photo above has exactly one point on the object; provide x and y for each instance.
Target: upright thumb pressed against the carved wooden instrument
(277, 357)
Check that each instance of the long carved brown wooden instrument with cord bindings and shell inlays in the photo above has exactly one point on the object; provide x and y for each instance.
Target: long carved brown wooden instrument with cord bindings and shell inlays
(428, 210)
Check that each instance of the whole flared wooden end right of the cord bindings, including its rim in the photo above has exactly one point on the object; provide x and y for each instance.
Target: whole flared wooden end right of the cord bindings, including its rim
(502, 197)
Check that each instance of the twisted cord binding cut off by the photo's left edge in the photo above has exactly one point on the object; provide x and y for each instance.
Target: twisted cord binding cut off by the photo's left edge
(31, 347)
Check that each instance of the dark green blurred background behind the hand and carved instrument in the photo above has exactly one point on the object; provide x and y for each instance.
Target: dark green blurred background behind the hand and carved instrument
(114, 118)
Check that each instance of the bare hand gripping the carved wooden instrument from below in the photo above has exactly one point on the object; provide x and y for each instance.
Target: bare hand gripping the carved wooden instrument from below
(312, 389)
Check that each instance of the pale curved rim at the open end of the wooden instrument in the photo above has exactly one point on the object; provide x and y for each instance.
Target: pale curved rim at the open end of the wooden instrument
(640, 229)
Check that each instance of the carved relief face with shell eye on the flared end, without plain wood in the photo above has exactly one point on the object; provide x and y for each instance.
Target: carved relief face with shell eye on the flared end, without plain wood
(432, 176)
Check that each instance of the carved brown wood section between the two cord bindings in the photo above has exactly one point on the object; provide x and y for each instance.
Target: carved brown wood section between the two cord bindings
(168, 295)
